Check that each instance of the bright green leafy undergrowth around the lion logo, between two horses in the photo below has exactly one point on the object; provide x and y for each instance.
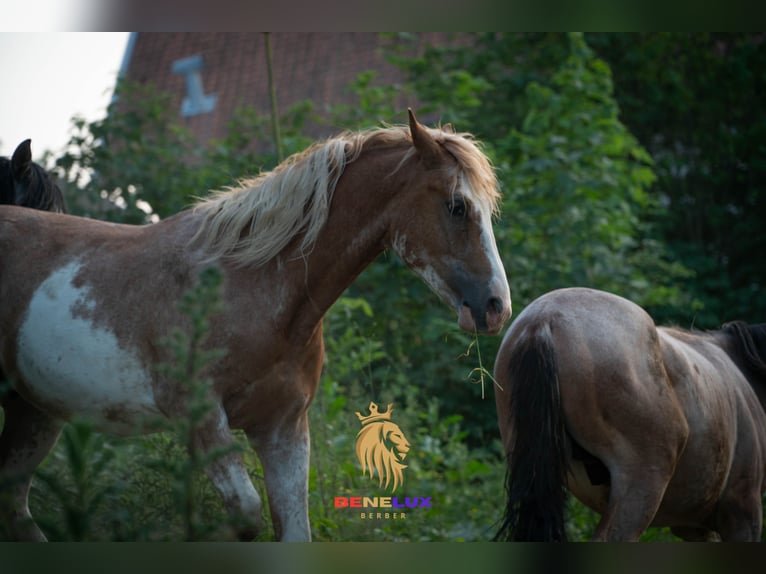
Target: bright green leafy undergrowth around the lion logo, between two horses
(462, 481)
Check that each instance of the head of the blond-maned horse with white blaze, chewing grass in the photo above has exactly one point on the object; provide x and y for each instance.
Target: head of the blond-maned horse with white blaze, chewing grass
(443, 230)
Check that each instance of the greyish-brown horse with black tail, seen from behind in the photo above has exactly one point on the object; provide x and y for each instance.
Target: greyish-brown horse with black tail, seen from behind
(647, 426)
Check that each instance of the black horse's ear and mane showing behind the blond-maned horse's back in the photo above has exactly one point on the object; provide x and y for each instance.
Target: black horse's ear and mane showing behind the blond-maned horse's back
(25, 183)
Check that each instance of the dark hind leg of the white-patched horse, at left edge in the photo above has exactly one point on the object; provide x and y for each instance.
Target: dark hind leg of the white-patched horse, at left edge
(28, 436)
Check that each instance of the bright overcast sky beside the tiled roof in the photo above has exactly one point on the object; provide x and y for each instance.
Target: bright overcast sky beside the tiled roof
(46, 78)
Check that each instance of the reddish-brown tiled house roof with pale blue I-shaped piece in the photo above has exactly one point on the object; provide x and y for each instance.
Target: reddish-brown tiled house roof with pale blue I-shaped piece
(231, 72)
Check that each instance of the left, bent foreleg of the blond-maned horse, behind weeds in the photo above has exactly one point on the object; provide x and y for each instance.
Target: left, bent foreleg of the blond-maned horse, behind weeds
(229, 475)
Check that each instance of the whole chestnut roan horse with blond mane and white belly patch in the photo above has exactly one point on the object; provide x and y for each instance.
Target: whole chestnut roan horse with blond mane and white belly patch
(83, 311)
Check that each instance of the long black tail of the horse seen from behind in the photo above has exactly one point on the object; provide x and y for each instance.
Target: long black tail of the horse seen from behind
(536, 472)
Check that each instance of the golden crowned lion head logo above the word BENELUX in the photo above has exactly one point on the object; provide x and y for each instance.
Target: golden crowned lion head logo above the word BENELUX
(382, 446)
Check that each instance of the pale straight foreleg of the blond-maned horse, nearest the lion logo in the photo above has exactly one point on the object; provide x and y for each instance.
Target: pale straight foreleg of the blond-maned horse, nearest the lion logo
(285, 458)
